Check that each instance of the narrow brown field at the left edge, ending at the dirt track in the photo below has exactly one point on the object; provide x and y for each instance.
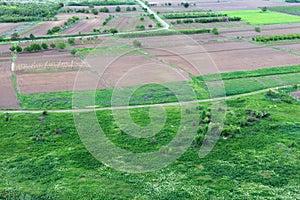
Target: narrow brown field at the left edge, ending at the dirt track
(8, 98)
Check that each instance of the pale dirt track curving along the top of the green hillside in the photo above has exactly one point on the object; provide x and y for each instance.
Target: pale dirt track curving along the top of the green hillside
(142, 106)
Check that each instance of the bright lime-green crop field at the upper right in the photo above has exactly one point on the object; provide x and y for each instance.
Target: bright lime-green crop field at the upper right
(258, 17)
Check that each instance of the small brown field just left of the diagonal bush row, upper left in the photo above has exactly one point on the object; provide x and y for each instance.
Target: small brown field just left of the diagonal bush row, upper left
(42, 28)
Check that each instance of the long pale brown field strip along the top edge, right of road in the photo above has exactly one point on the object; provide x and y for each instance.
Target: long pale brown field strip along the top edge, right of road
(218, 6)
